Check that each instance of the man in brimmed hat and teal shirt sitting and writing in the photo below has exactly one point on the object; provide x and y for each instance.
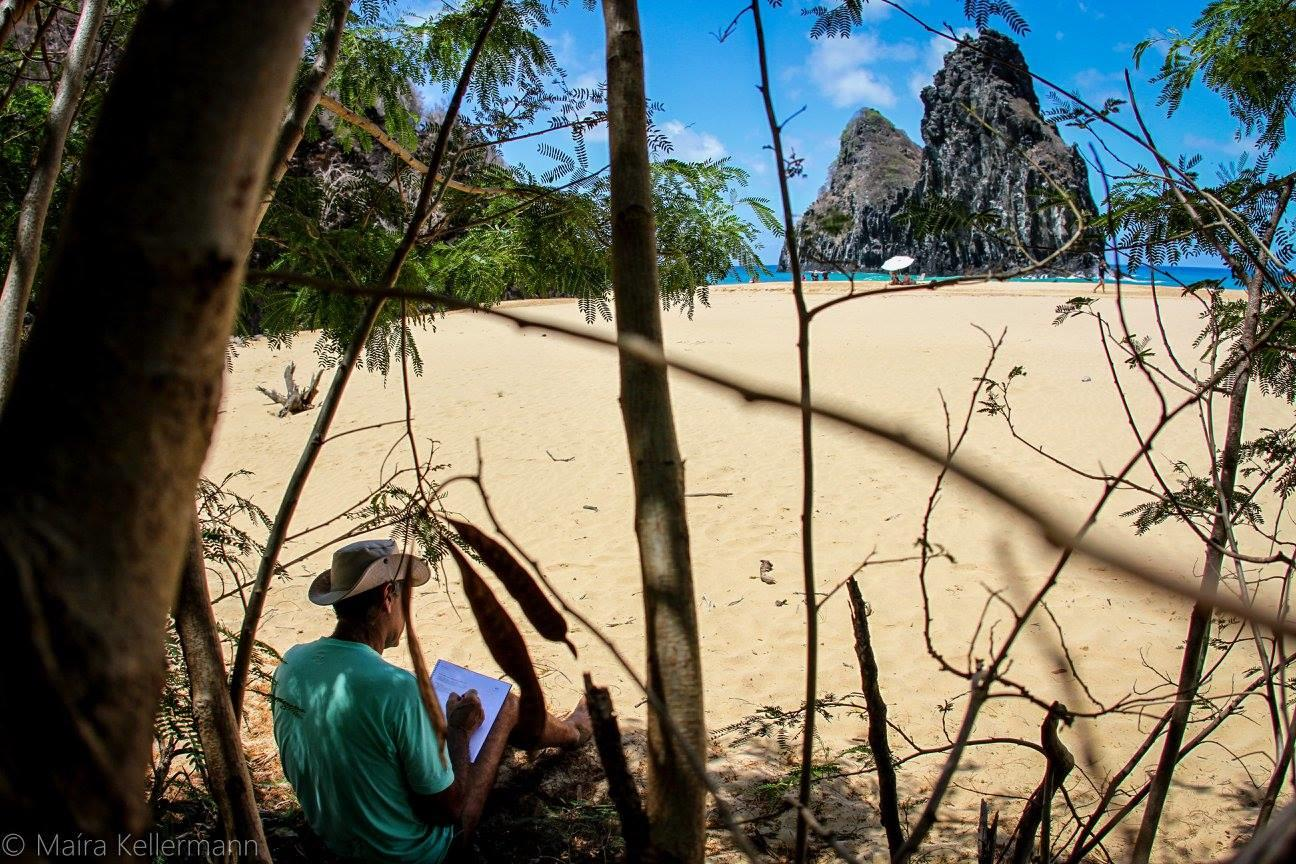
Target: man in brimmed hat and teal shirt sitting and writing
(371, 774)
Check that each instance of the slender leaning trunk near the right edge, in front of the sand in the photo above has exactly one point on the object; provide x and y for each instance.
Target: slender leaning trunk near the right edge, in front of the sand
(1199, 622)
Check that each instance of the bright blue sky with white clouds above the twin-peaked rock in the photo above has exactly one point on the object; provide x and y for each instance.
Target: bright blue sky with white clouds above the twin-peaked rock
(713, 109)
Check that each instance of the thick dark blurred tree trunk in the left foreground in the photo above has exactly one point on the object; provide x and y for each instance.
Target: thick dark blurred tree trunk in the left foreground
(97, 493)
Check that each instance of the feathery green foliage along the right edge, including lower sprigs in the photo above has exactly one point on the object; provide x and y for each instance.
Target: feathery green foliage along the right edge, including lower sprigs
(1241, 51)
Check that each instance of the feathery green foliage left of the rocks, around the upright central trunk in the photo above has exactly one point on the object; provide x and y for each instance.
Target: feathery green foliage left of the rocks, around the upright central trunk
(340, 212)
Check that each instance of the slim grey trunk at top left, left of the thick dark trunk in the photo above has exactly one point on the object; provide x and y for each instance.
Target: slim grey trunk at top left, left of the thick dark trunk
(41, 188)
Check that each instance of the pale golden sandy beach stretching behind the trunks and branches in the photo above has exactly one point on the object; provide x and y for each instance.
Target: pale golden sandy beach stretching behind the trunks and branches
(544, 411)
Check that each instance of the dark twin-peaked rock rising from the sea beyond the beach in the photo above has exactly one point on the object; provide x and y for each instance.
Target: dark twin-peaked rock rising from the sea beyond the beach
(988, 153)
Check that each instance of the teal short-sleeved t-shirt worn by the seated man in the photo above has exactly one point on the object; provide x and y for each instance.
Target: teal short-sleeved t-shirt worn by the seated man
(356, 743)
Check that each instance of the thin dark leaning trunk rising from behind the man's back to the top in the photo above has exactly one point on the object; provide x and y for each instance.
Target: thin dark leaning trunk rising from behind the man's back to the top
(334, 398)
